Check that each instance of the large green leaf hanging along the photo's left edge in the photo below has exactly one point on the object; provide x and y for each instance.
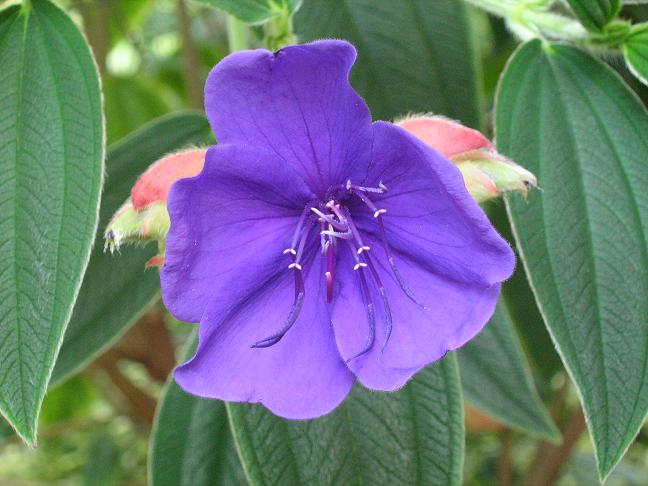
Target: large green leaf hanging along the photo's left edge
(51, 166)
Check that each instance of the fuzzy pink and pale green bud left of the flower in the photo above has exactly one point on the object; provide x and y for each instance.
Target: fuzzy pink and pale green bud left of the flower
(144, 216)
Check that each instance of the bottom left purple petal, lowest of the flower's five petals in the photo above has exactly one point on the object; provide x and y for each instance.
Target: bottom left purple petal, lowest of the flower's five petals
(300, 377)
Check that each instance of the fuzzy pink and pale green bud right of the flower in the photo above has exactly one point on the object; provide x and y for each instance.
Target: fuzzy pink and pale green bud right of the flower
(486, 173)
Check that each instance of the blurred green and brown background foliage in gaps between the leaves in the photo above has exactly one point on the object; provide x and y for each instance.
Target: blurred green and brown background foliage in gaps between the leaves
(153, 56)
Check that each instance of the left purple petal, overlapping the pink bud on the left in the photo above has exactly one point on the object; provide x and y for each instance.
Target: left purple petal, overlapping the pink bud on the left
(229, 227)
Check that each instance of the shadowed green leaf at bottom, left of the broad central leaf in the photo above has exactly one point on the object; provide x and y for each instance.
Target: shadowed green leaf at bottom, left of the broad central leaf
(192, 443)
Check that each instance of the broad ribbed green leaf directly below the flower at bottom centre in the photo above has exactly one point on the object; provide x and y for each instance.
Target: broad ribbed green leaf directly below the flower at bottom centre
(412, 436)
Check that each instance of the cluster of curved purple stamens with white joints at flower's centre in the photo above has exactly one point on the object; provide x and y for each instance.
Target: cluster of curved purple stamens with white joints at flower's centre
(338, 229)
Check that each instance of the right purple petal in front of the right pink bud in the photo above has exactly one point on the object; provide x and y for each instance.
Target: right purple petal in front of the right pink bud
(431, 218)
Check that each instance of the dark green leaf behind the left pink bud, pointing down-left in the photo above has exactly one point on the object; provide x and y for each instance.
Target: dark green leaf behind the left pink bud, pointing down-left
(116, 289)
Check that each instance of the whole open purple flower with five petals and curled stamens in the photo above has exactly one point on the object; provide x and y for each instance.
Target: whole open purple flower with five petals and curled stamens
(317, 247)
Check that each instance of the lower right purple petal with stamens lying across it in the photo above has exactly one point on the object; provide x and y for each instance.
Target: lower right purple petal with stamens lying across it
(452, 313)
